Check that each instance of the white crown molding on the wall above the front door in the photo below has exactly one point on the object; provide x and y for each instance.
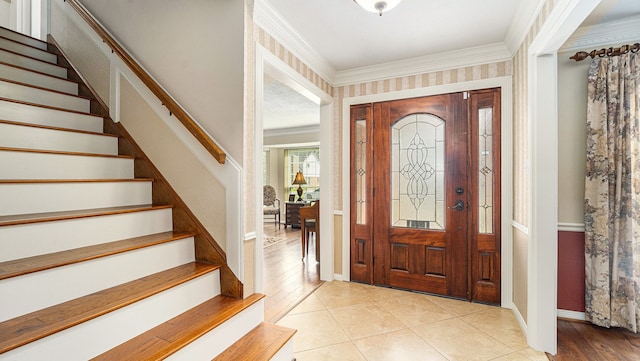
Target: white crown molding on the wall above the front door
(425, 64)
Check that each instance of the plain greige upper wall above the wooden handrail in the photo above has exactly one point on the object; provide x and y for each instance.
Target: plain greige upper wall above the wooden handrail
(194, 49)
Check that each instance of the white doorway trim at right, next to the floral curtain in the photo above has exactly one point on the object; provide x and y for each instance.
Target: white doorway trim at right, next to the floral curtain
(564, 19)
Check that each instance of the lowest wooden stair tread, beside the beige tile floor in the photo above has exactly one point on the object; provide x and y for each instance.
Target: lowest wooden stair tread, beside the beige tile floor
(260, 344)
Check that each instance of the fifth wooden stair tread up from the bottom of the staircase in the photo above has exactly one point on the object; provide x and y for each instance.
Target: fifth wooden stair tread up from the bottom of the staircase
(13, 220)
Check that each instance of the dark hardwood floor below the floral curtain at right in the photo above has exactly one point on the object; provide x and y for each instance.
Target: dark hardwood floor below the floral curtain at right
(584, 341)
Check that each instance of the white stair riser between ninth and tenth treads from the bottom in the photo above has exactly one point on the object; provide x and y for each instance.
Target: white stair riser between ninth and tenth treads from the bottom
(43, 97)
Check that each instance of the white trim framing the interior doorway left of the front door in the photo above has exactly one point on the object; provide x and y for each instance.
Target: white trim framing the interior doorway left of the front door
(266, 62)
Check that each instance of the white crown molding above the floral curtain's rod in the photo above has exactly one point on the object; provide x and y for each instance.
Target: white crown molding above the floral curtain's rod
(612, 33)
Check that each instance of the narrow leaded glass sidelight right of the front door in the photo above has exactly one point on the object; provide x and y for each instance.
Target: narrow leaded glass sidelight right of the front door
(485, 170)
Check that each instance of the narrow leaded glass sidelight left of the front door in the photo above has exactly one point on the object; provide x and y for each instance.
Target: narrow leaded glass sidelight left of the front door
(361, 171)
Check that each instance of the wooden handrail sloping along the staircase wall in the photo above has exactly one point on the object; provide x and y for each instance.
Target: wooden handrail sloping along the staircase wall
(157, 90)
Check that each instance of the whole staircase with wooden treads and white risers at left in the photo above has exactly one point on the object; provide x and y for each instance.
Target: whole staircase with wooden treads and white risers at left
(90, 268)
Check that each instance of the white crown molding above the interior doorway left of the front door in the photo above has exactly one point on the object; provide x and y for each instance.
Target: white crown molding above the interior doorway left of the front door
(270, 21)
